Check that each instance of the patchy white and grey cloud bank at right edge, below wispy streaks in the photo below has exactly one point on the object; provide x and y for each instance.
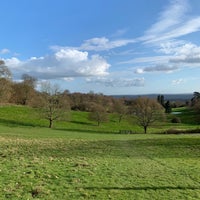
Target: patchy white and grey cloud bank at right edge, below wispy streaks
(178, 53)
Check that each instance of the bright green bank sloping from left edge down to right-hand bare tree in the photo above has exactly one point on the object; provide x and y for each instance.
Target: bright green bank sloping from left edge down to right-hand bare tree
(78, 121)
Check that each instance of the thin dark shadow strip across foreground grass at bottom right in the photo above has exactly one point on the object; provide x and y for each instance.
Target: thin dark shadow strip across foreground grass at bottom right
(145, 188)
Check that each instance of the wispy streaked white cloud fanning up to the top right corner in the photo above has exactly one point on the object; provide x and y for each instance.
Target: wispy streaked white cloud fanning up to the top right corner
(172, 23)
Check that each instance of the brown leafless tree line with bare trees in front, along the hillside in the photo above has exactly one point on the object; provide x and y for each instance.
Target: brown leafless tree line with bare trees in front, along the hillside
(55, 104)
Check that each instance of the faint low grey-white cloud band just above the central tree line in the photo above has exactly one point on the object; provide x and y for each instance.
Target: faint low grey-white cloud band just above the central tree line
(115, 82)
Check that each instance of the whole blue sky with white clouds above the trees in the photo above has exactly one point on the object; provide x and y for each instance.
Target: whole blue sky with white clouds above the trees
(114, 47)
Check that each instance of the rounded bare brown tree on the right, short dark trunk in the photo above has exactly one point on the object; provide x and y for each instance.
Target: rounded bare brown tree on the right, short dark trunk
(147, 111)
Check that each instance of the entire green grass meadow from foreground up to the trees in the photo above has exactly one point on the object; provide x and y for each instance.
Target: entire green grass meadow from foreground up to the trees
(79, 160)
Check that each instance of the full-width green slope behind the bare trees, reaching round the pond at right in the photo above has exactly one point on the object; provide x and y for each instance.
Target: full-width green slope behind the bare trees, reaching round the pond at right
(78, 121)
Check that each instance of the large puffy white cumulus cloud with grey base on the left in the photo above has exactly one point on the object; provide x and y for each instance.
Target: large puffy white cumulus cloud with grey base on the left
(63, 63)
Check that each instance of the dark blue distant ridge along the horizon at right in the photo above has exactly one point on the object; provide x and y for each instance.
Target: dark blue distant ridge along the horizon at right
(170, 97)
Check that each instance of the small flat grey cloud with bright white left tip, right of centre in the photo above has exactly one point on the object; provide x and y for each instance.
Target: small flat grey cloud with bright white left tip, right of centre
(157, 68)
